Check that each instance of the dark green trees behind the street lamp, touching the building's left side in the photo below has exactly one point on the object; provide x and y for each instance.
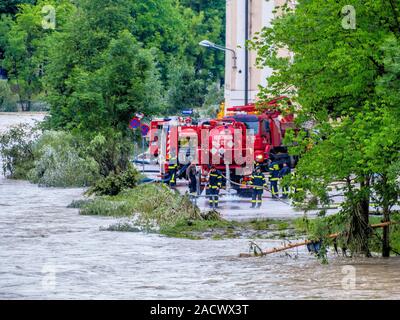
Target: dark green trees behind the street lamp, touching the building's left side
(174, 32)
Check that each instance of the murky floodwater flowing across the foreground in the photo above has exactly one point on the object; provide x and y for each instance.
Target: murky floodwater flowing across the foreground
(50, 252)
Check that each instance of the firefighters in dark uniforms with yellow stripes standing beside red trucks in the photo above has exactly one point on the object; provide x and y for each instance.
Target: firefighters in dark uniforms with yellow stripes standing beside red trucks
(258, 181)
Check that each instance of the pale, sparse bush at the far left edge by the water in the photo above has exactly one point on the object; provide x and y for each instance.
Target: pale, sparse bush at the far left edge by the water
(16, 149)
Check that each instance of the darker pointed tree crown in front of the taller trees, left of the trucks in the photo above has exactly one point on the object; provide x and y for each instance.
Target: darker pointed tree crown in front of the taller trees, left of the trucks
(126, 83)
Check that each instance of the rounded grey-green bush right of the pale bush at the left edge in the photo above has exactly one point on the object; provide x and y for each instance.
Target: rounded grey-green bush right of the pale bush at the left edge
(60, 162)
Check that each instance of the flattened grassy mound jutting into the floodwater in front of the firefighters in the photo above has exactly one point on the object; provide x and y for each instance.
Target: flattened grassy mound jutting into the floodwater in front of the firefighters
(155, 207)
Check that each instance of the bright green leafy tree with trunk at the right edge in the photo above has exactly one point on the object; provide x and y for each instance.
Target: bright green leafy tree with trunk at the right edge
(344, 79)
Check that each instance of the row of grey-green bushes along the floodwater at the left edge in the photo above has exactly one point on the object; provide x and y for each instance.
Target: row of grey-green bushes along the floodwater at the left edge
(63, 159)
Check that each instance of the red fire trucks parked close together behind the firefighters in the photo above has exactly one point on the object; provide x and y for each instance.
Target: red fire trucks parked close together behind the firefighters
(211, 141)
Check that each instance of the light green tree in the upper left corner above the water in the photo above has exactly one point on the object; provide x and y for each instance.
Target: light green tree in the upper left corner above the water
(25, 48)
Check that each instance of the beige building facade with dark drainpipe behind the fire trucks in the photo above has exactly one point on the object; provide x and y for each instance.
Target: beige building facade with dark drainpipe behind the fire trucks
(260, 15)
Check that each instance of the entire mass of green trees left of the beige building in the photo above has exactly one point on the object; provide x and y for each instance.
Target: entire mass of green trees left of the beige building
(107, 60)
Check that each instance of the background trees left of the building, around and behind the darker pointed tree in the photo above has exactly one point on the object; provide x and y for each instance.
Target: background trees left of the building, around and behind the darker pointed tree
(84, 30)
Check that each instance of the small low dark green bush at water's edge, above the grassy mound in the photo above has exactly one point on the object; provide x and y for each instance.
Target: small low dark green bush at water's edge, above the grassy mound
(114, 184)
